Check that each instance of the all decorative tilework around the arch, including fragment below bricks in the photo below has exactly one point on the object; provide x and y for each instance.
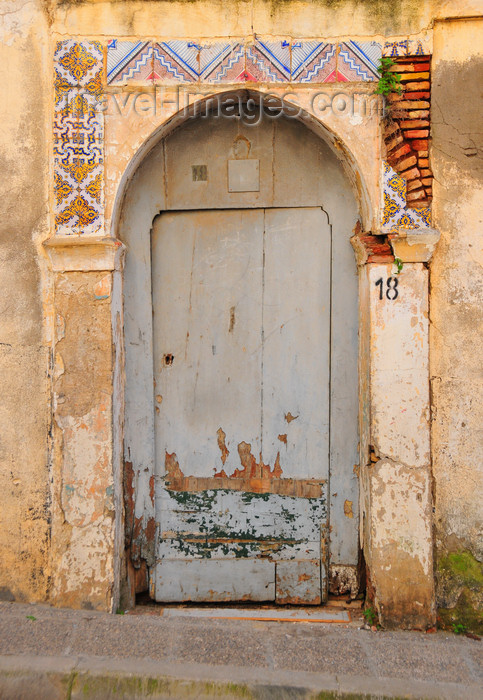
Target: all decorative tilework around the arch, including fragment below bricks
(78, 126)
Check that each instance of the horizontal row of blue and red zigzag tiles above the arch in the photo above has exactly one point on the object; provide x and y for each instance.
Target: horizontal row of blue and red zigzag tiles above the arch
(267, 61)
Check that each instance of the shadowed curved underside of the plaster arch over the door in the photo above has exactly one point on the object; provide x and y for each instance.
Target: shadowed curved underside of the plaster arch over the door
(290, 110)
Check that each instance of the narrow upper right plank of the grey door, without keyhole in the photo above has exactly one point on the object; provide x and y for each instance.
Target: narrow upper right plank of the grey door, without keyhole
(296, 324)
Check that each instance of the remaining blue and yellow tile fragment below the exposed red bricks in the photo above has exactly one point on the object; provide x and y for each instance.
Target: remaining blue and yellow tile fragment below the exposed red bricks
(395, 213)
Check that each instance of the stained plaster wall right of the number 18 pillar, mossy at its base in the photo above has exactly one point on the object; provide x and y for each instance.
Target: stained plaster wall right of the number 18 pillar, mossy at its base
(457, 319)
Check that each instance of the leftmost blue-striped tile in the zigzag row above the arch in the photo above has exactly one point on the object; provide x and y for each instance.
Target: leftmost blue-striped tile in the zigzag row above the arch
(129, 61)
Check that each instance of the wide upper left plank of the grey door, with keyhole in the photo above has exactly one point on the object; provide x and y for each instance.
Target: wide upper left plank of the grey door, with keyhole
(207, 277)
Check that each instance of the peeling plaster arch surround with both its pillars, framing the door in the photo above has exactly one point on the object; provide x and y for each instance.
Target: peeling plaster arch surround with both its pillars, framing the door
(393, 479)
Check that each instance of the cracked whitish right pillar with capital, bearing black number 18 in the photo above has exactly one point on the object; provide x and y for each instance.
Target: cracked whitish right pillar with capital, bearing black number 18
(396, 483)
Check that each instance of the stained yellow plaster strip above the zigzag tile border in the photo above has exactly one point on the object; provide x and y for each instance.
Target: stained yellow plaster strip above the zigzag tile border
(218, 18)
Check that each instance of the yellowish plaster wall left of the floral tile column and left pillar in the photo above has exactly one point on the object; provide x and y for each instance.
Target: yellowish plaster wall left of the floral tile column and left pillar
(24, 355)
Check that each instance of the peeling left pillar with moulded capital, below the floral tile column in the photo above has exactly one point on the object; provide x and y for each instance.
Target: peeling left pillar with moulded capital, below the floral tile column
(86, 481)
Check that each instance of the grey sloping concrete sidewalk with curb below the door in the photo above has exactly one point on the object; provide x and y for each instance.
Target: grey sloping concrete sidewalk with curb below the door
(86, 654)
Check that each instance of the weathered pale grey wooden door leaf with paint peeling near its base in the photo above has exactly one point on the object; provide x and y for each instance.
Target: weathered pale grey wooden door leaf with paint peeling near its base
(241, 335)
